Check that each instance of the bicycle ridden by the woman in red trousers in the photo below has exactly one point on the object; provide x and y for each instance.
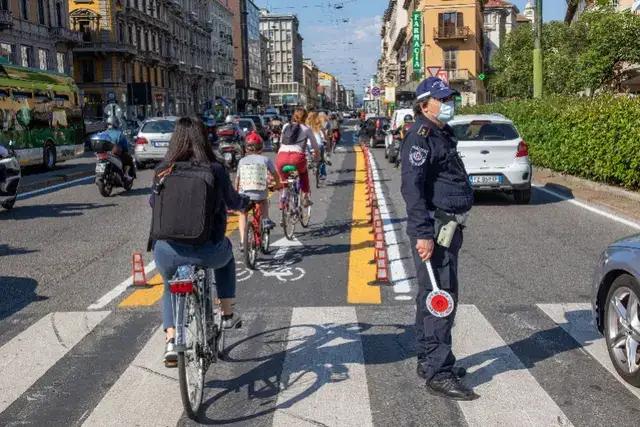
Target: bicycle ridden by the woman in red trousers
(291, 203)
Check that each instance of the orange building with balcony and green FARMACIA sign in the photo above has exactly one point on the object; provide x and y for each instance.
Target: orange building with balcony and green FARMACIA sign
(442, 37)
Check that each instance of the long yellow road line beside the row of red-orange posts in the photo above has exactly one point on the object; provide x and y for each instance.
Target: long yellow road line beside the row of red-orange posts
(361, 252)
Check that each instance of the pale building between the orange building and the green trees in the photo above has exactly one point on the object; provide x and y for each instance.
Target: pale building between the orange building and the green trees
(500, 17)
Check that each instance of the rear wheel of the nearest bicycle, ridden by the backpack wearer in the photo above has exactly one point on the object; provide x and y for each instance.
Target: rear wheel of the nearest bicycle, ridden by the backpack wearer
(191, 361)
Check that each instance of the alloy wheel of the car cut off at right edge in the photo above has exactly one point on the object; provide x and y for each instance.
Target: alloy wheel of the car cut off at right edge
(622, 327)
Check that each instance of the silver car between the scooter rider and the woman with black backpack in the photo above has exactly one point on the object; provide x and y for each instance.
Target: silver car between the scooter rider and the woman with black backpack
(152, 141)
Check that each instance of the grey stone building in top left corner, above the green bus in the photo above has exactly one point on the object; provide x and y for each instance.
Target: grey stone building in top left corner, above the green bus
(36, 34)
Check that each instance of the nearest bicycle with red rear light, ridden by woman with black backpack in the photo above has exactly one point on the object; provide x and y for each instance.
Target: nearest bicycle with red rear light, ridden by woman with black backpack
(199, 331)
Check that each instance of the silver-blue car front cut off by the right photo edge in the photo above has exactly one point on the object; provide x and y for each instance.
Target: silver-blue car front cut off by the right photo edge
(616, 305)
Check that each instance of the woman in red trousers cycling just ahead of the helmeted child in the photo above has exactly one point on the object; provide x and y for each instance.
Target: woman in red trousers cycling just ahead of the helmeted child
(293, 147)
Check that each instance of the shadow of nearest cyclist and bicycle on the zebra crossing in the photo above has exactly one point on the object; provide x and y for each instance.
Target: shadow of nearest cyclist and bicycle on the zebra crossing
(316, 355)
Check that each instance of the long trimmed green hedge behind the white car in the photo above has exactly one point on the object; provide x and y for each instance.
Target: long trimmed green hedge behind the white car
(595, 138)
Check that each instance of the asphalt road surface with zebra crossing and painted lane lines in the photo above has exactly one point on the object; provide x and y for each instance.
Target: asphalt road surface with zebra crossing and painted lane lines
(319, 345)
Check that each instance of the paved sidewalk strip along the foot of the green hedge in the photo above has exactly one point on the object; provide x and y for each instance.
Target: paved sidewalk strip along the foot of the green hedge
(614, 199)
